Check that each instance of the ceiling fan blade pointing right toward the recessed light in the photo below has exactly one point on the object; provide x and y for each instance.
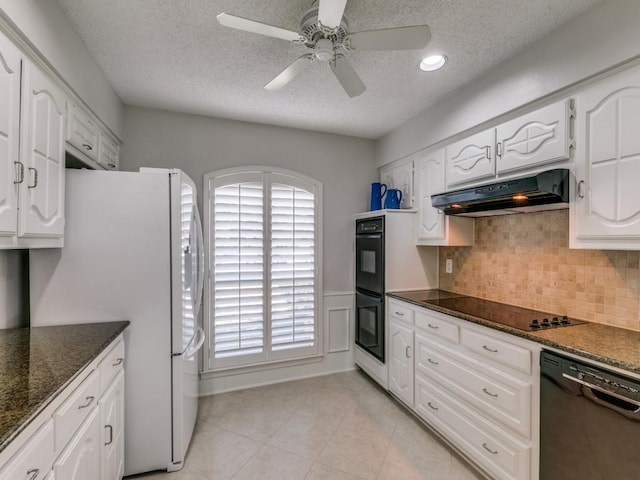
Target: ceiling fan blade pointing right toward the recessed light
(401, 38)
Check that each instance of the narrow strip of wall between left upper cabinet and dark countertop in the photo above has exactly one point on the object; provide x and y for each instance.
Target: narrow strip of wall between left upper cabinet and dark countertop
(10, 289)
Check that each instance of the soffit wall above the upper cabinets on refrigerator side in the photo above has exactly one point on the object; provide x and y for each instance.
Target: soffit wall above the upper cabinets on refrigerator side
(47, 28)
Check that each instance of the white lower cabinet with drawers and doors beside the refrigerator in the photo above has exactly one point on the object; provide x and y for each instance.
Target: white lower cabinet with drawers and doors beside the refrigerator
(83, 437)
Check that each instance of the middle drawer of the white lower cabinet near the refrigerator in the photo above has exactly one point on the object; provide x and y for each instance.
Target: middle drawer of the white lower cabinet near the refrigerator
(75, 409)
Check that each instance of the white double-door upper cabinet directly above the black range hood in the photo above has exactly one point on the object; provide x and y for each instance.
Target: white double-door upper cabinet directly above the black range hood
(540, 137)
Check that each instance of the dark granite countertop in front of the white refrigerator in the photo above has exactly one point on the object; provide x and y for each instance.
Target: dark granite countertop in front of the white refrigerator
(36, 364)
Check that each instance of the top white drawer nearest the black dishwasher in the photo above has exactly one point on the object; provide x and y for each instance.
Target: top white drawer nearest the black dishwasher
(498, 350)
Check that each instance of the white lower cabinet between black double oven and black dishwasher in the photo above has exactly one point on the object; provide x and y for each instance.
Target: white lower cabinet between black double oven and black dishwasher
(475, 386)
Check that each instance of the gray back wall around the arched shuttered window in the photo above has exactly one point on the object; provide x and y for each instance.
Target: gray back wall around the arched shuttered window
(198, 145)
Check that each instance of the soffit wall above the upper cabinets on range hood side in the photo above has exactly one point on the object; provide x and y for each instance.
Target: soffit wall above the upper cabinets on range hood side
(598, 39)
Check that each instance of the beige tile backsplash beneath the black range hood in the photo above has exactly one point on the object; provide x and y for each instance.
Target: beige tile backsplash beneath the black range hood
(525, 260)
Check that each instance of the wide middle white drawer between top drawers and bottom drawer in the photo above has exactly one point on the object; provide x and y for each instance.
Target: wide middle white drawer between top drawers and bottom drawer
(500, 397)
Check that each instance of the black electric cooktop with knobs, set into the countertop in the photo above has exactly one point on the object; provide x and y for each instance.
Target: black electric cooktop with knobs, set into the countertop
(516, 317)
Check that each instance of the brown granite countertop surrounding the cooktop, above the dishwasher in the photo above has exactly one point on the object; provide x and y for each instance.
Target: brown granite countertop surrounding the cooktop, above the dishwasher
(607, 344)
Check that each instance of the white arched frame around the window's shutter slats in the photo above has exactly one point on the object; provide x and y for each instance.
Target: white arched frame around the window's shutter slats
(268, 175)
